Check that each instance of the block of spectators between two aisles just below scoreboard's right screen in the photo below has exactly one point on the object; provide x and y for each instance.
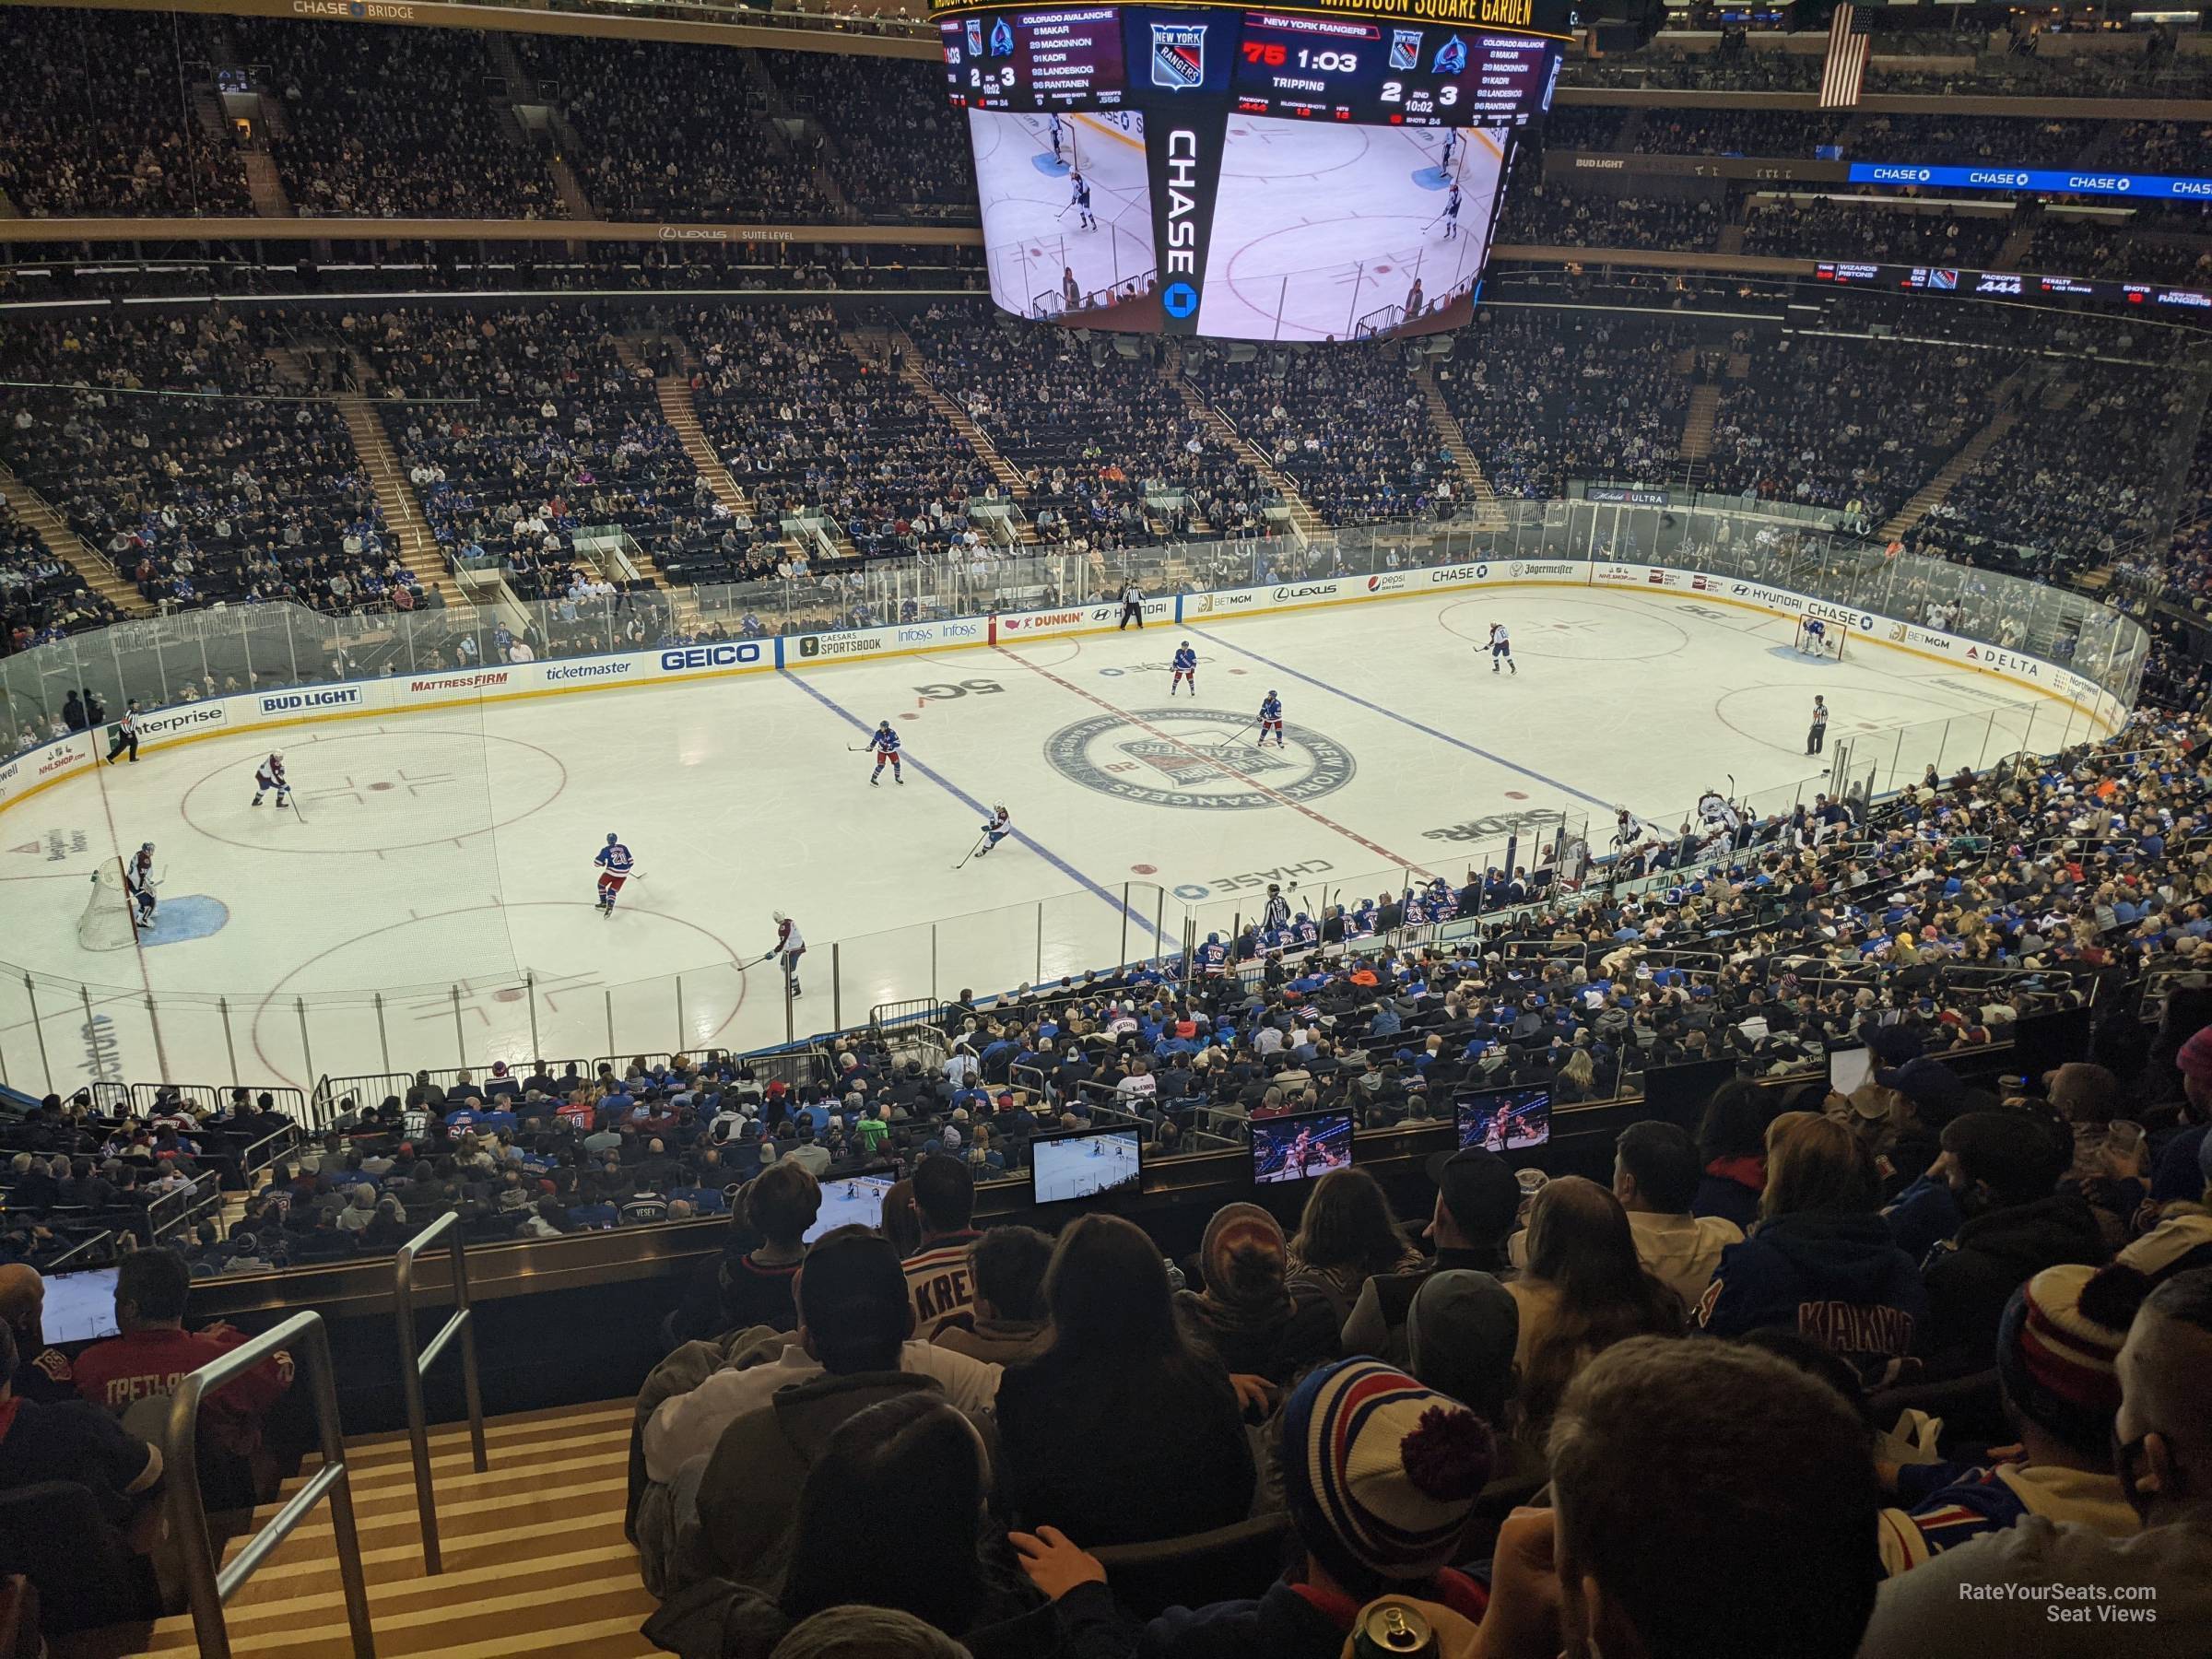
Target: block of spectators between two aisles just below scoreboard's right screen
(1350, 430)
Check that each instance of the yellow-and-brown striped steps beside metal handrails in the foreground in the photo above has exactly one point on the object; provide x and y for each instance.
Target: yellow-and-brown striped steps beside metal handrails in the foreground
(534, 1552)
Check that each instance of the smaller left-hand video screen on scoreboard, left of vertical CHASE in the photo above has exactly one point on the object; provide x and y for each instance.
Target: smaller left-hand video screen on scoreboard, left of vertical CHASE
(1034, 238)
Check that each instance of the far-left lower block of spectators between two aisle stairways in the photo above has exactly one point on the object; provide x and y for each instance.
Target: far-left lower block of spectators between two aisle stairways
(176, 450)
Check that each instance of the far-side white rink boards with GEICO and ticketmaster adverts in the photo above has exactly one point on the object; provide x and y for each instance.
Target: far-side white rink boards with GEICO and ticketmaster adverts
(41, 769)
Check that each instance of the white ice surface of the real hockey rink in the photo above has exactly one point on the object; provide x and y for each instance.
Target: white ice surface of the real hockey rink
(444, 857)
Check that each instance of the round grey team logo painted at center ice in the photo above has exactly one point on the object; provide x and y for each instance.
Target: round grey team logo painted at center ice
(1196, 760)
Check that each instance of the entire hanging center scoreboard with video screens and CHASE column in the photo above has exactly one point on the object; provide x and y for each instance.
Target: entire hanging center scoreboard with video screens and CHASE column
(1295, 174)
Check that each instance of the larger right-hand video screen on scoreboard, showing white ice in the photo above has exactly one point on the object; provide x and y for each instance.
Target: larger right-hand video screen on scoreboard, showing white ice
(1319, 227)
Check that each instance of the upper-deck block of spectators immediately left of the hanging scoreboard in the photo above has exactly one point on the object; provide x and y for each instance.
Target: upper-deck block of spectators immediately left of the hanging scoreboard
(897, 145)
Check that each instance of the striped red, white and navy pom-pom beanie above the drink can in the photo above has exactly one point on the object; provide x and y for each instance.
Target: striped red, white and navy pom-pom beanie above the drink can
(1381, 1472)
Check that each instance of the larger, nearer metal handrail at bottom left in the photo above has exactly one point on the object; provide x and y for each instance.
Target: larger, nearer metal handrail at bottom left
(211, 1589)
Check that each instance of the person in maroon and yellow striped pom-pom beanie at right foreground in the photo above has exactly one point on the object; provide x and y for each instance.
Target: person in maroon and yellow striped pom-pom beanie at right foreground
(2058, 1370)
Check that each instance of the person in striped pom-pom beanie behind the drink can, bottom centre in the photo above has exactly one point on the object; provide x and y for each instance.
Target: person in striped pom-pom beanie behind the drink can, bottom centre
(1379, 1477)
